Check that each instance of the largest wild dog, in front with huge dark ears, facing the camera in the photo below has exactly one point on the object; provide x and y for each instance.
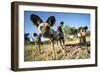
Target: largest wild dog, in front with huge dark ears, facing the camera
(46, 30)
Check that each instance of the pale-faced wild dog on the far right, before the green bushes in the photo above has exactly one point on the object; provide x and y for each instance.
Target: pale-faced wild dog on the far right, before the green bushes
(81, 33)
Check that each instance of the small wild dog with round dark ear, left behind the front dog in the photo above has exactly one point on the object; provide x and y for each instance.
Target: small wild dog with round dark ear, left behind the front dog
(37, 41)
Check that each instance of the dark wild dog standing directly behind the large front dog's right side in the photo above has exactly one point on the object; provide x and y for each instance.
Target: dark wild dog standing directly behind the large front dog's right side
(60, 35)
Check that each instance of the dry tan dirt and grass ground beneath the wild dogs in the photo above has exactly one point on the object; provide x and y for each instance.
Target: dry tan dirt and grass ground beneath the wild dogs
(71, 52)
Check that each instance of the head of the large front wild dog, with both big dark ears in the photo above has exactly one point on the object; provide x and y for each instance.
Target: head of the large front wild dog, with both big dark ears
(44, 27)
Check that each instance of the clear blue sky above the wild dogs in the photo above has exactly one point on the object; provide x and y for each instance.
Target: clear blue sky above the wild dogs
(71, 19)
